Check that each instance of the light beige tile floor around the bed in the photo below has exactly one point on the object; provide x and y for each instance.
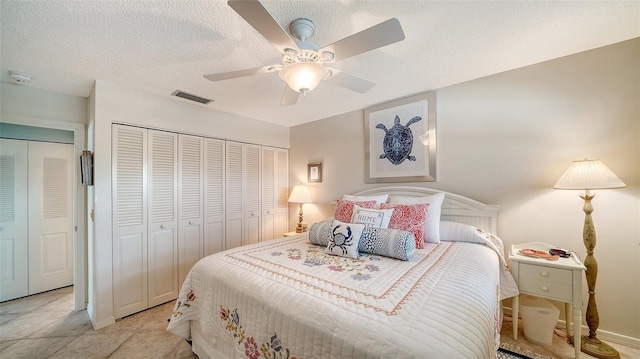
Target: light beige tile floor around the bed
(45, 326)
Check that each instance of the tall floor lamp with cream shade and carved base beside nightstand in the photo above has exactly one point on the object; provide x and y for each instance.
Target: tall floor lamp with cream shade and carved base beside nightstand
(587, 175)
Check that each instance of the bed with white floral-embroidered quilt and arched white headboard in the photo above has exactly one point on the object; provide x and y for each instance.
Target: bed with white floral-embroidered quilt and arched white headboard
(286, 298)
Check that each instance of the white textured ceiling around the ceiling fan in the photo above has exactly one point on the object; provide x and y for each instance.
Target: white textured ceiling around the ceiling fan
(161, 46)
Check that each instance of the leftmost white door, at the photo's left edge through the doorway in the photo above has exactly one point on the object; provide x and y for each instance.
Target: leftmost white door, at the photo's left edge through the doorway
(14, 266)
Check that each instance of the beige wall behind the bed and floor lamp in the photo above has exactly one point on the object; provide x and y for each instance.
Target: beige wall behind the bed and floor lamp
(506, 139)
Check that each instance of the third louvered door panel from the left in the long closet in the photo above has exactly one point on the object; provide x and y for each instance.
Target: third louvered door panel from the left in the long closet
(190, 176)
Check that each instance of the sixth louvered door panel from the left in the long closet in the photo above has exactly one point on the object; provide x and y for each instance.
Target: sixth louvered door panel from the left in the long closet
(252, 194)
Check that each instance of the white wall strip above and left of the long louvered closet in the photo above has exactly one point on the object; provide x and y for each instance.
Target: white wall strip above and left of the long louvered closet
(117, 104)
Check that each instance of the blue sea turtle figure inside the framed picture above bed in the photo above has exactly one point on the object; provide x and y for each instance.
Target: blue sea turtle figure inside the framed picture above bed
(398, 141)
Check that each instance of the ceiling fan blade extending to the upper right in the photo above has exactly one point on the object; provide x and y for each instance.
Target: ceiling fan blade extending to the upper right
(380, 35)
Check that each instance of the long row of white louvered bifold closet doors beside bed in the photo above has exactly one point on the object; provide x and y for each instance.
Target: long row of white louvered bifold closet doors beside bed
(178, 198)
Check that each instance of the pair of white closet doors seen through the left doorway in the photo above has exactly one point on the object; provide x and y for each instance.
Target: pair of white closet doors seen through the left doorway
(36, 217)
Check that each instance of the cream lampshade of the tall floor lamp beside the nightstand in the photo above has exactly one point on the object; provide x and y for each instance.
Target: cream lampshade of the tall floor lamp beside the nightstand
(588, 174)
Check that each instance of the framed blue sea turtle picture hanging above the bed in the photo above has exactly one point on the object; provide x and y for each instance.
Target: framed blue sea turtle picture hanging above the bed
(400, 140)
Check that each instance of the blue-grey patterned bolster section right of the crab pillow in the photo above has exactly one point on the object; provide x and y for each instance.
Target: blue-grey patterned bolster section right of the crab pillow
(392, 243)
